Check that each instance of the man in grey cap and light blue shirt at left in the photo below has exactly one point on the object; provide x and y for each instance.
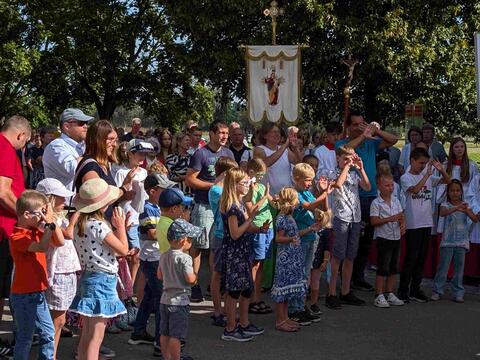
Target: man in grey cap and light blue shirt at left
(62, 155)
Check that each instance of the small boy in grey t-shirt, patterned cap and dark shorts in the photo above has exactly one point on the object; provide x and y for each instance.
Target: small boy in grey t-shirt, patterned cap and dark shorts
(176, 271)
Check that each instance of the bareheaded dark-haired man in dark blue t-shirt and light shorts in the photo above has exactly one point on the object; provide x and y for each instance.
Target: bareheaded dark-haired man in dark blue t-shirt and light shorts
(200, 178)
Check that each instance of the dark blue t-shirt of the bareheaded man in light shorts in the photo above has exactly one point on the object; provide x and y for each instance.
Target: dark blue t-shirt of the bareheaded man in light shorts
(204, 160)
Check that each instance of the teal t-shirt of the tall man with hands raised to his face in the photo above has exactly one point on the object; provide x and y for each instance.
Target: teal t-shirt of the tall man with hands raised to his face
(367, 151)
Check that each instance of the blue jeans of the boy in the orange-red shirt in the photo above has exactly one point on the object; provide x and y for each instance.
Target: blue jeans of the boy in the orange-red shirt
(32, 314)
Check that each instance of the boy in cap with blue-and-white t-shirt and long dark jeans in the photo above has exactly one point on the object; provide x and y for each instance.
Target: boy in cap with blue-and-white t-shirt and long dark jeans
(154, 184)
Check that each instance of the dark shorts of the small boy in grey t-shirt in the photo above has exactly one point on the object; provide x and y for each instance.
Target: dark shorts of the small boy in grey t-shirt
(174, 321)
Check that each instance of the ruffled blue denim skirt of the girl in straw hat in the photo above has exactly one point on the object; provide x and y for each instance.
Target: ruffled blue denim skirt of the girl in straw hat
(97, 296)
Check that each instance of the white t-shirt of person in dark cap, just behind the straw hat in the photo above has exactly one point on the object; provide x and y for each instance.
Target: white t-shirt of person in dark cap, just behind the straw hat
(135, 206)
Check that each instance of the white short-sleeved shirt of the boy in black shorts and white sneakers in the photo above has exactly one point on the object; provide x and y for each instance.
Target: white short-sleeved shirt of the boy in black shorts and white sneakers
(382, 209)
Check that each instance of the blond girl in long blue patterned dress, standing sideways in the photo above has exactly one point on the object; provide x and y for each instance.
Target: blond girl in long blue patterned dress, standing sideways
(290, 280)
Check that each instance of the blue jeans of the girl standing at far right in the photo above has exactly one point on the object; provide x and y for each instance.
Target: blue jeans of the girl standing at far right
(447, 253)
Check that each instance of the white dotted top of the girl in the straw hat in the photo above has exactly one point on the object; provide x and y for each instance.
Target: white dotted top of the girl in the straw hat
(94, 254)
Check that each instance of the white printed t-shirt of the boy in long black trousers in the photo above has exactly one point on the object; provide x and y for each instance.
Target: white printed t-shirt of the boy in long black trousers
(418, 207)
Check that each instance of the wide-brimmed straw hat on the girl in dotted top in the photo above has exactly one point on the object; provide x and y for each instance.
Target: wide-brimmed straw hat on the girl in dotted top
(95, 194)
